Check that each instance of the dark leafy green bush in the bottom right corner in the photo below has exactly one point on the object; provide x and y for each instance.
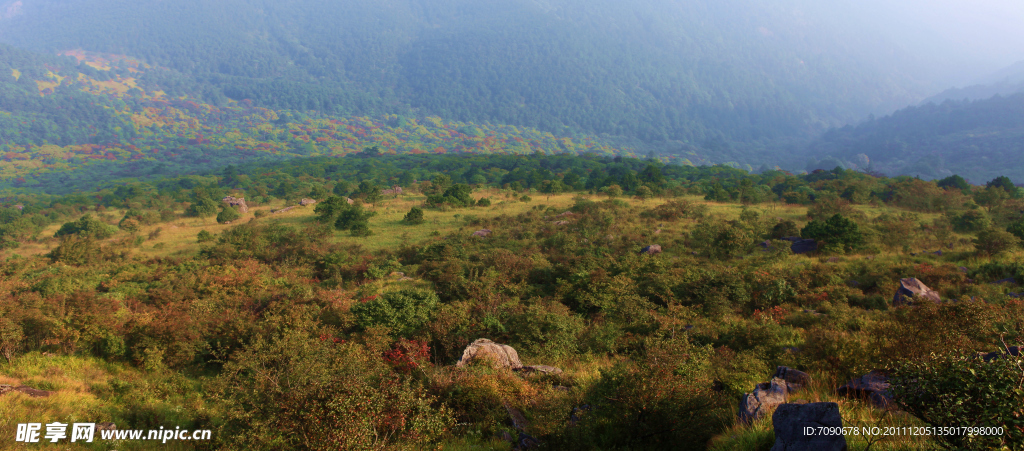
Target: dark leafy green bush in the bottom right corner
(952, 391)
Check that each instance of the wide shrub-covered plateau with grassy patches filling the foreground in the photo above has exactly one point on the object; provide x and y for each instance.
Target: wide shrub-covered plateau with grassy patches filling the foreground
(294, 324)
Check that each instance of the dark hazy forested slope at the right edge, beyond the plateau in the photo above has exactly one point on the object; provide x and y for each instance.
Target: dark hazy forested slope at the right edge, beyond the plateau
(978, 140)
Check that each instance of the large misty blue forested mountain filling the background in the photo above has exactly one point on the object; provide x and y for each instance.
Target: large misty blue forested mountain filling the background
(738, 76)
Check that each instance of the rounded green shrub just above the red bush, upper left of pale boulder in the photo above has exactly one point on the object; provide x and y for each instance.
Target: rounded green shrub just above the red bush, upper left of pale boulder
(405, 312)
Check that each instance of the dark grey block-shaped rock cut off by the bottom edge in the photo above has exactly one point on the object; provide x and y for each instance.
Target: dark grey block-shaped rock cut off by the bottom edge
(791, 422)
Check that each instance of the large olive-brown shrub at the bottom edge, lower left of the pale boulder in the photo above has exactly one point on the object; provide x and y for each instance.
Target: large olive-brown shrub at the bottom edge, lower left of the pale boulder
(306, 391)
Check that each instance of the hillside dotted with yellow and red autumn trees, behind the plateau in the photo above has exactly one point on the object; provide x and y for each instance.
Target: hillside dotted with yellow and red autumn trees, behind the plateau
(77, 121)
